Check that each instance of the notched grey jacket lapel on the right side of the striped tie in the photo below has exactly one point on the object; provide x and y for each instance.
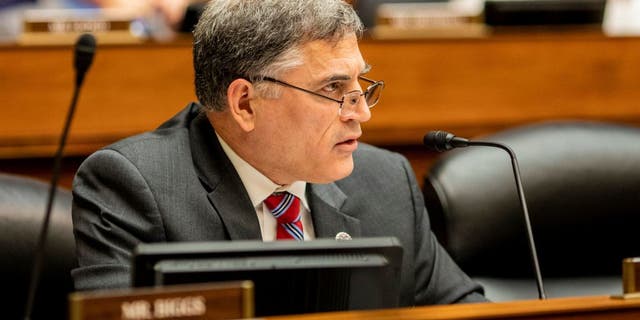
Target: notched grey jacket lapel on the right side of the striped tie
(326, 202)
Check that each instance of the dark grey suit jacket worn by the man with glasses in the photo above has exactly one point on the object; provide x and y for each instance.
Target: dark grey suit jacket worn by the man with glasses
(177, 184)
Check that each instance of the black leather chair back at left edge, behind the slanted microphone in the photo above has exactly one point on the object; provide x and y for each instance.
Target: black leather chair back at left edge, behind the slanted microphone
(22, 205)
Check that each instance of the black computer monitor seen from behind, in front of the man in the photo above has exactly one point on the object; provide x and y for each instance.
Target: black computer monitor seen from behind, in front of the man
(290, 277)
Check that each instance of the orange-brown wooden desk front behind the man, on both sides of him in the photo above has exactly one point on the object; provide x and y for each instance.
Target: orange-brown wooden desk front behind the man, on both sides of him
(470, 87)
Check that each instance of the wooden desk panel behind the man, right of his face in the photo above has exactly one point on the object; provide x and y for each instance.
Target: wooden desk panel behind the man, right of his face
(474, 87)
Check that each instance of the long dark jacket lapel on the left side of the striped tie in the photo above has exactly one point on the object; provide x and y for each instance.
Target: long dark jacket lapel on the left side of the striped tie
(227, 194)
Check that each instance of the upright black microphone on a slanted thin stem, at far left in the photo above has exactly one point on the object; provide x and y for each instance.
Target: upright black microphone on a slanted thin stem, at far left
(84, 51)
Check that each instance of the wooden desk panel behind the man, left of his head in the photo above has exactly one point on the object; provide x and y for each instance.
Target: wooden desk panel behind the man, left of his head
(129, 89)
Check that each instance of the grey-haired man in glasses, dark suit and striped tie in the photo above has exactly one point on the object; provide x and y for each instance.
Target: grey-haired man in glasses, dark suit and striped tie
(282, 95)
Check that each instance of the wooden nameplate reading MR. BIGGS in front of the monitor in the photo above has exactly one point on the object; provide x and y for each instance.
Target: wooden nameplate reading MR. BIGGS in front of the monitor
(223, 300)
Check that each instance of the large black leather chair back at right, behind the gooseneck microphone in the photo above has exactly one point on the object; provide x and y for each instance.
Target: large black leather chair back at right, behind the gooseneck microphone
(582, 184)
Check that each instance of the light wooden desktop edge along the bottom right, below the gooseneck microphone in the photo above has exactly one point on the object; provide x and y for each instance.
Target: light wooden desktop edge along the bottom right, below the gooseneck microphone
(584, 308)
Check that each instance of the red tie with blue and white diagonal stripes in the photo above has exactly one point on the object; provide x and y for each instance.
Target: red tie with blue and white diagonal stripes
(285, 207)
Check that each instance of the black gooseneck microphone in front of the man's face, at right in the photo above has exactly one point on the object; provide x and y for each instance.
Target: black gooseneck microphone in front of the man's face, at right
(443, 141)
